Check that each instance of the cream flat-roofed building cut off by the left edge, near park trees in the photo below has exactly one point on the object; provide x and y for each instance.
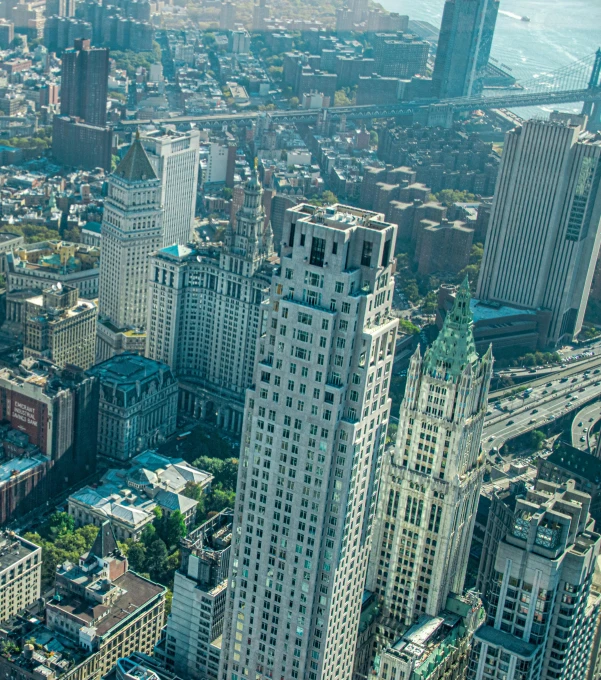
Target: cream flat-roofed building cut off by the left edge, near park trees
(20, 573)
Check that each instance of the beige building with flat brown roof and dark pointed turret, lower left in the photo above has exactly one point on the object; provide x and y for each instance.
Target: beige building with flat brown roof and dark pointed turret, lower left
(100, 612)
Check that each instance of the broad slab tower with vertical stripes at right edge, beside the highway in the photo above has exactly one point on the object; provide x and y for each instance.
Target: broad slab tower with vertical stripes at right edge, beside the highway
(543, 237)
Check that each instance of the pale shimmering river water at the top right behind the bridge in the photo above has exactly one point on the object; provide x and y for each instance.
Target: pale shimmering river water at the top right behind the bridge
(559, 33)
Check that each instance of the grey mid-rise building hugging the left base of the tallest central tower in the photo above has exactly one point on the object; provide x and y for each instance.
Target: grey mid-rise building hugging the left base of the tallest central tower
(192, 642)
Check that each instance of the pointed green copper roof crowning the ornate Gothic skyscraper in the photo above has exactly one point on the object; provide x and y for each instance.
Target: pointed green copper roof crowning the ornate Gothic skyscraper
(454, 347)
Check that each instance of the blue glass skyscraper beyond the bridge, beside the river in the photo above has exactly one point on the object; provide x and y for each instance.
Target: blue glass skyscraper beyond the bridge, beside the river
(464, 44)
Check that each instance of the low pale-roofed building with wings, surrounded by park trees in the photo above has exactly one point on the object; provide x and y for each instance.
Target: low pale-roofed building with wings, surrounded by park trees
(128, 497)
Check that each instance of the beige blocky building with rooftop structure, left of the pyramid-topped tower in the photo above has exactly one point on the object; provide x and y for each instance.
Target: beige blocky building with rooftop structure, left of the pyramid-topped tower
(60, 327)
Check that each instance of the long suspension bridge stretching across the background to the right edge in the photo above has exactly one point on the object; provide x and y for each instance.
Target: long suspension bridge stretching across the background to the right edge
(577, 82)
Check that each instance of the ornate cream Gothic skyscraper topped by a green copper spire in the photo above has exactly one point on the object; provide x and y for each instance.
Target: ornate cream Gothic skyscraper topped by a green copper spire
(431, 479)
